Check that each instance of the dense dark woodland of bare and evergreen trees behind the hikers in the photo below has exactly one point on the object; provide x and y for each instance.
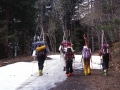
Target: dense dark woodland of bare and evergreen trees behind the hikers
(22, 21)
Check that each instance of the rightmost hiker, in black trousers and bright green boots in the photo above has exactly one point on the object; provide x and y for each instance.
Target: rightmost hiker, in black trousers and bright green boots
(105, 53)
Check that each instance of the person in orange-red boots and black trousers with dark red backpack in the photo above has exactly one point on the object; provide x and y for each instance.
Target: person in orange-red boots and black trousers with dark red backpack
(69, 56)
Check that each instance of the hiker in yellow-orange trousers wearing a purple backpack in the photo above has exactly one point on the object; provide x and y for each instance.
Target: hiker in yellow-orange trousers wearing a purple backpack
(86, 55)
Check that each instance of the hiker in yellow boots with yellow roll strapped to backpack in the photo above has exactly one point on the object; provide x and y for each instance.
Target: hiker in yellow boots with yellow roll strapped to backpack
(41, 56)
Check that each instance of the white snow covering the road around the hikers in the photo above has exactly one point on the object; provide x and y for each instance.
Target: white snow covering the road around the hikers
(24, 75)
